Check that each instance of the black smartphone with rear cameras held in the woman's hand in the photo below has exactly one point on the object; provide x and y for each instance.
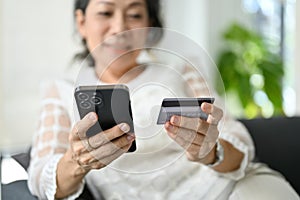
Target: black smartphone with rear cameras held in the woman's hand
(110, 102)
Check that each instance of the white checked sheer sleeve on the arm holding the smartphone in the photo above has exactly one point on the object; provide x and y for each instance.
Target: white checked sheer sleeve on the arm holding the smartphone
(50, 142)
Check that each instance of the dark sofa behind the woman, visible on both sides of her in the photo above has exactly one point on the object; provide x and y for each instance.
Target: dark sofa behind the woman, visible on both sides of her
(277, 142)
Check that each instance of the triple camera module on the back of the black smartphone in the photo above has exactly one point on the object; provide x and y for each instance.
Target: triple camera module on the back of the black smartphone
(87, 101)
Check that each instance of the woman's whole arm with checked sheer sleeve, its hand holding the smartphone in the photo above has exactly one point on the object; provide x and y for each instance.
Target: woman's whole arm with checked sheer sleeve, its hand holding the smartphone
(62, 156)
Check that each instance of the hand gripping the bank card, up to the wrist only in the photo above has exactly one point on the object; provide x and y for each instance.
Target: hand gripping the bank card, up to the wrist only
(195, 135)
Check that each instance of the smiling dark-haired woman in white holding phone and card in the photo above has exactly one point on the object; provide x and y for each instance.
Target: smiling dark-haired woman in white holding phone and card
(171, 161)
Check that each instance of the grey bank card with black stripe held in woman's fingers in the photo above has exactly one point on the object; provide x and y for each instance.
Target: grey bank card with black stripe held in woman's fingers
(187, 107)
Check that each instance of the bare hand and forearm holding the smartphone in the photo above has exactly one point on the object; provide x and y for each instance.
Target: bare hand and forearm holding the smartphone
(89, 153)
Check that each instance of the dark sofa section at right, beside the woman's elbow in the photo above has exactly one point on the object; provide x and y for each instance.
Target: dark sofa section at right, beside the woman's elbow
(277, 142)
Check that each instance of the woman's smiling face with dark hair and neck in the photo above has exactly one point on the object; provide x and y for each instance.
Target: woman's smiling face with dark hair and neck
(94, 21)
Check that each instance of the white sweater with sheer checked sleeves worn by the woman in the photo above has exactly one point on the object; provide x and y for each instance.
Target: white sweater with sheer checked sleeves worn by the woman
(159, 168)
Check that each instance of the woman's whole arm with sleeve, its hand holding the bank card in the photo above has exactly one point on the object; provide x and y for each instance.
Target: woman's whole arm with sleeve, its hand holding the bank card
(192, 134)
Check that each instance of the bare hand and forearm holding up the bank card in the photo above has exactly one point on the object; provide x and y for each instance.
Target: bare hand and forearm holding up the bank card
(194, 134)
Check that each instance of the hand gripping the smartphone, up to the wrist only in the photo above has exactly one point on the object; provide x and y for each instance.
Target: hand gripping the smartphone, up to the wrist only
(101, 149)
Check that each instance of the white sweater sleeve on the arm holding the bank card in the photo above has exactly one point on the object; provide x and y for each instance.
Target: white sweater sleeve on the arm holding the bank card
(231, 130)
